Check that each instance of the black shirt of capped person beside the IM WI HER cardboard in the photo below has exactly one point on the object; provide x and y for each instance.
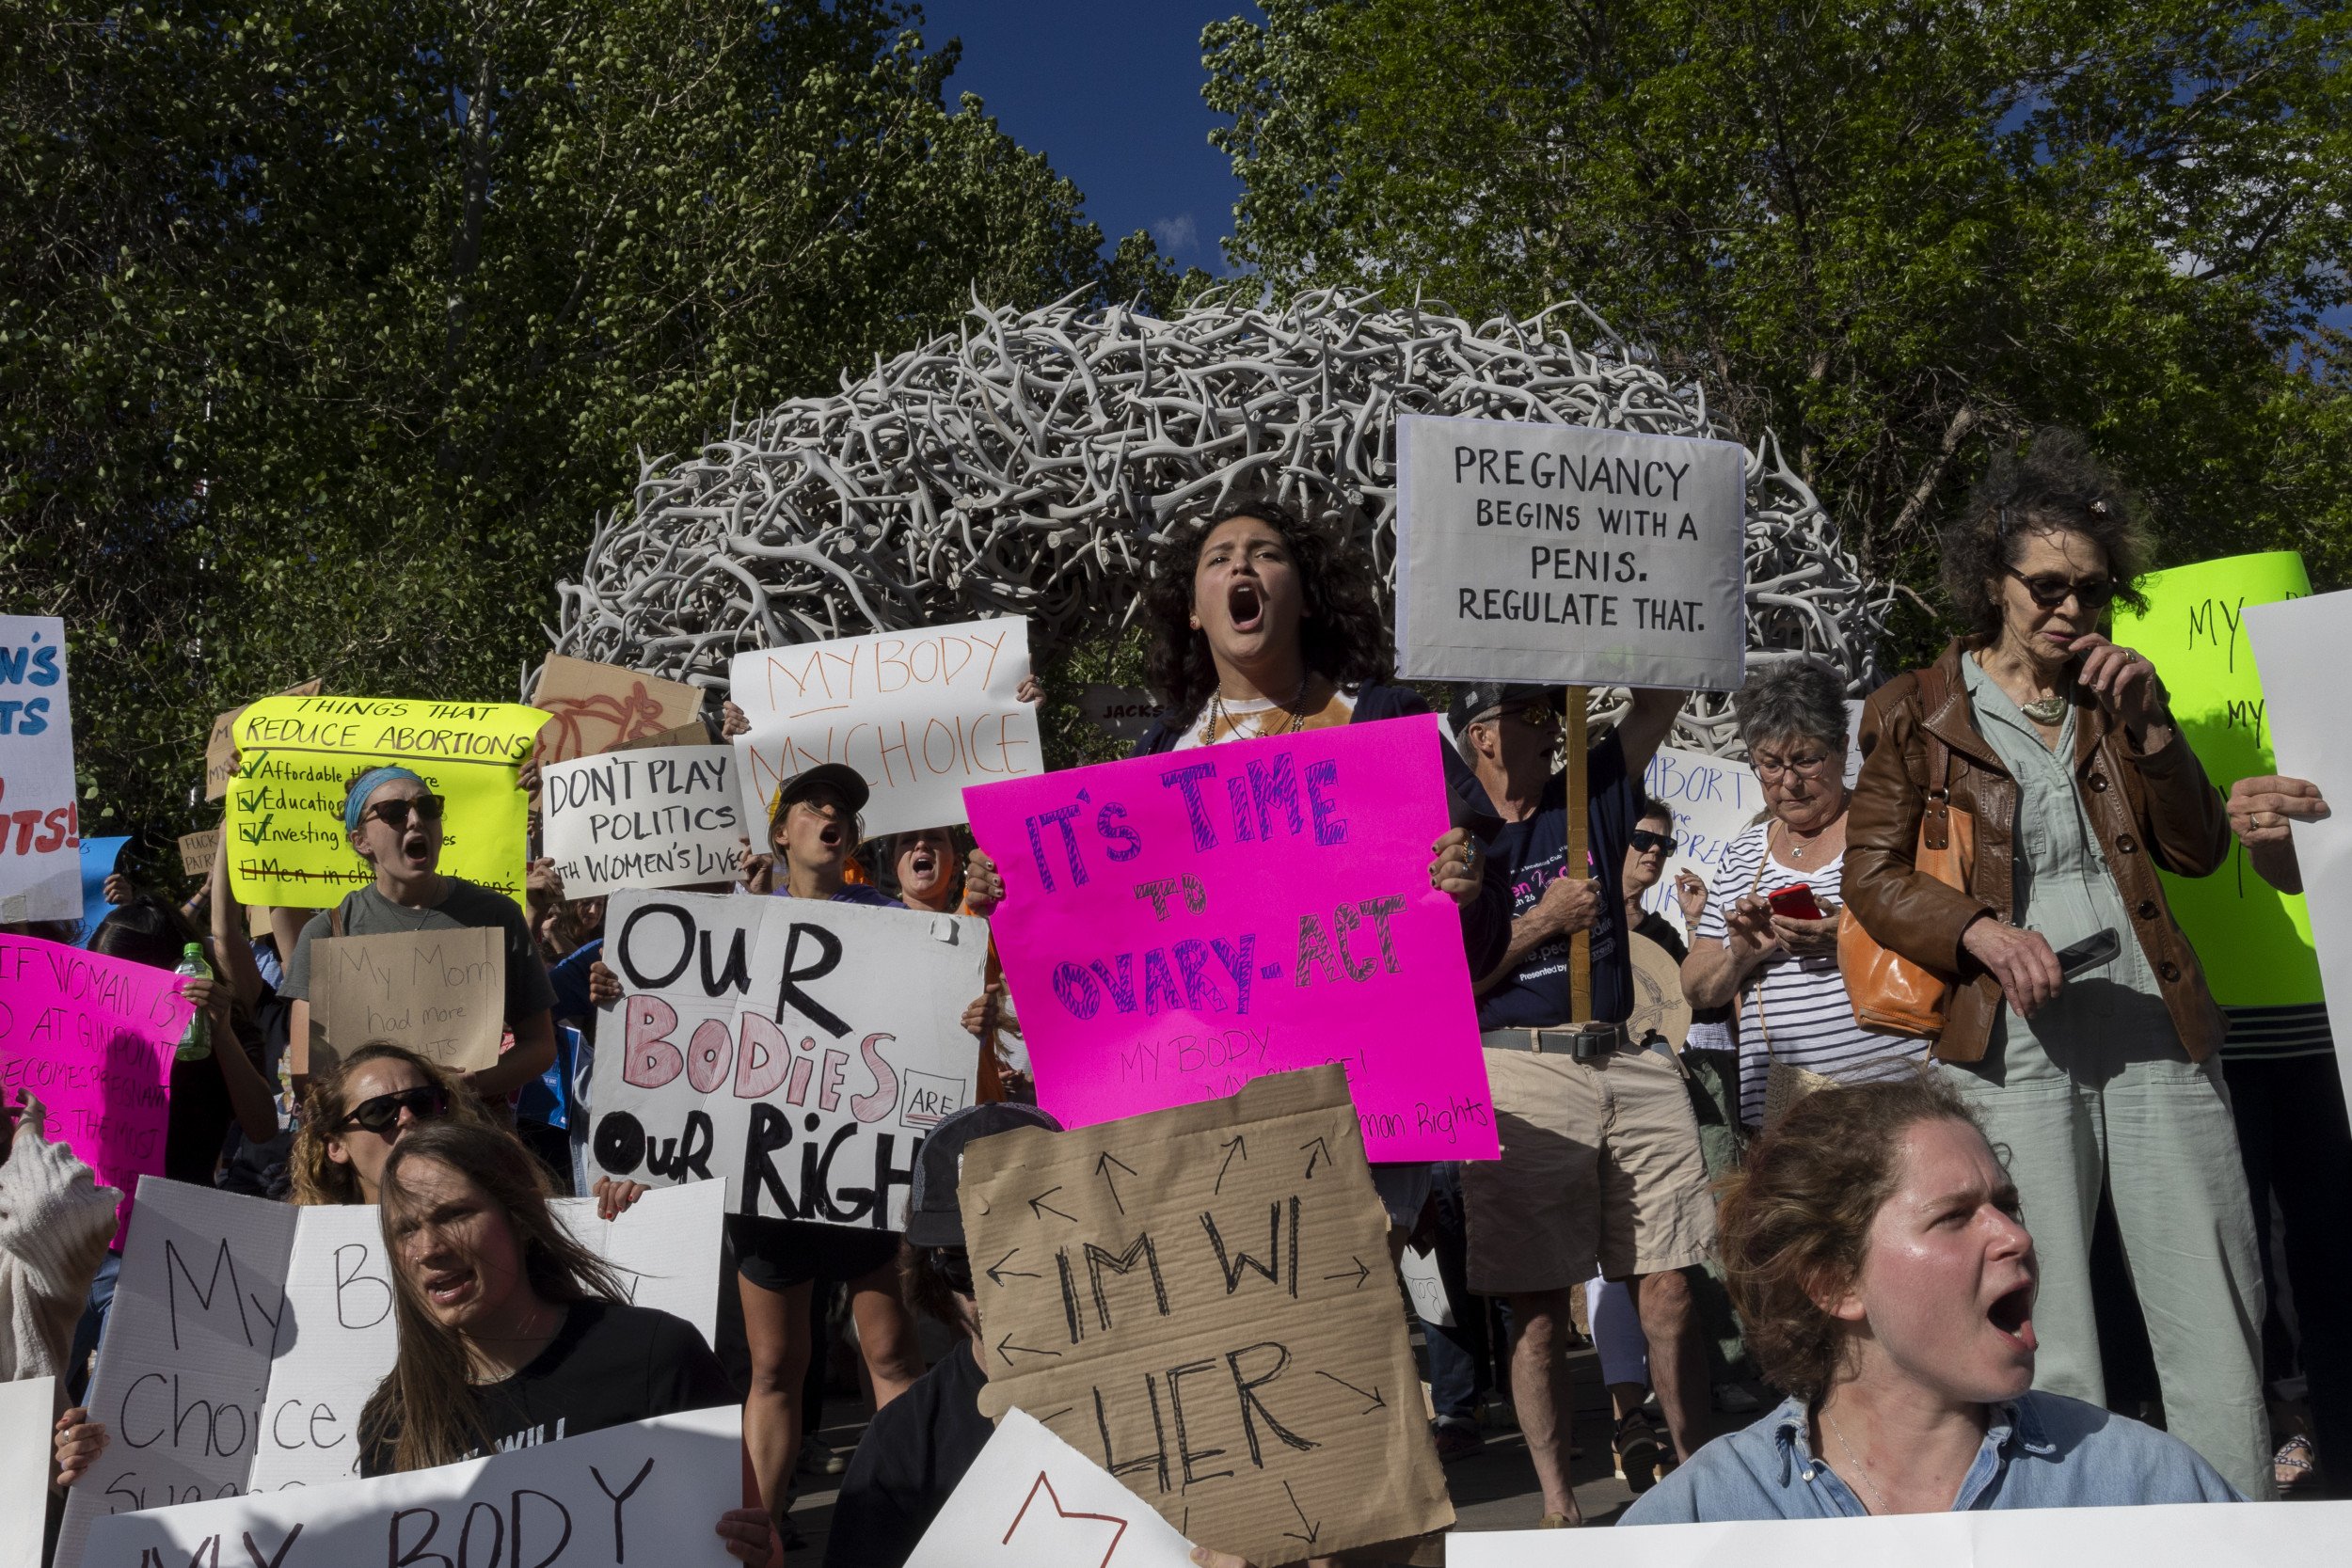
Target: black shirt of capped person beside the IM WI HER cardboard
(914, 1454)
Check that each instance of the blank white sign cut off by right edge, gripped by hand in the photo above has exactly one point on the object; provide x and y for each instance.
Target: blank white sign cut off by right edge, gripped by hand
(2299, 648)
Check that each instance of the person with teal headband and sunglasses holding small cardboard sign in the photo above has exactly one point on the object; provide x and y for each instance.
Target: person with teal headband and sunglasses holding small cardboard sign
(396, 826)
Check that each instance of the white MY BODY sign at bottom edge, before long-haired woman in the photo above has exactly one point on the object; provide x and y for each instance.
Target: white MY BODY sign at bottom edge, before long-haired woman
(582, 1503)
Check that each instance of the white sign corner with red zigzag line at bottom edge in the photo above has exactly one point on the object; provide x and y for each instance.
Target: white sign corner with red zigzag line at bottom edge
(1031, 1501)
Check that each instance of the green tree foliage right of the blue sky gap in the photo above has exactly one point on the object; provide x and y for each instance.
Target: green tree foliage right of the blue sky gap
(1887, 229)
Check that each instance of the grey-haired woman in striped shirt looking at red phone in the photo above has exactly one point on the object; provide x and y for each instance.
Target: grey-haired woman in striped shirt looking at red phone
(1768, 939)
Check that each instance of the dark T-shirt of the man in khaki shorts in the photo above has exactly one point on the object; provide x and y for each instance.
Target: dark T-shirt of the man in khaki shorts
(1535, 855)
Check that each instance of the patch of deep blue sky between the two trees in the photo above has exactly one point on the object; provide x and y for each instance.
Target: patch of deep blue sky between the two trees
(1111, 95)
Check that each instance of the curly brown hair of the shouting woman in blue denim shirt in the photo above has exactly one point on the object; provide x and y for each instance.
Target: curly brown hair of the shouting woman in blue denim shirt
(1796, 1224)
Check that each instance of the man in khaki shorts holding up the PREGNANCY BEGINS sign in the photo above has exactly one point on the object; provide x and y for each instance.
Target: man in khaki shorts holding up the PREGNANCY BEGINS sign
(1601, 1165)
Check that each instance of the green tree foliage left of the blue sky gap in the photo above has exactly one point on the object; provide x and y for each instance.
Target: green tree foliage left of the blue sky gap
(333, 323)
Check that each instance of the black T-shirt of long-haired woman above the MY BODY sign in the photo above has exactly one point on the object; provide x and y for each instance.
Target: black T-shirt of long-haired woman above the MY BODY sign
(608, 1367)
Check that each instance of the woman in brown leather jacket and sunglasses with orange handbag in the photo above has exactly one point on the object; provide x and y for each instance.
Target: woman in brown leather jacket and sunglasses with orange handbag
(2064, 753)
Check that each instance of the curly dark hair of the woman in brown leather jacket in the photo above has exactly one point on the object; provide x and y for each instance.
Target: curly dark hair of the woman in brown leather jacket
(2052, 485)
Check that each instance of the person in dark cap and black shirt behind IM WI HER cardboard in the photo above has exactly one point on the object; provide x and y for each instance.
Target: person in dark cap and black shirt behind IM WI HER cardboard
(921, 1445)
